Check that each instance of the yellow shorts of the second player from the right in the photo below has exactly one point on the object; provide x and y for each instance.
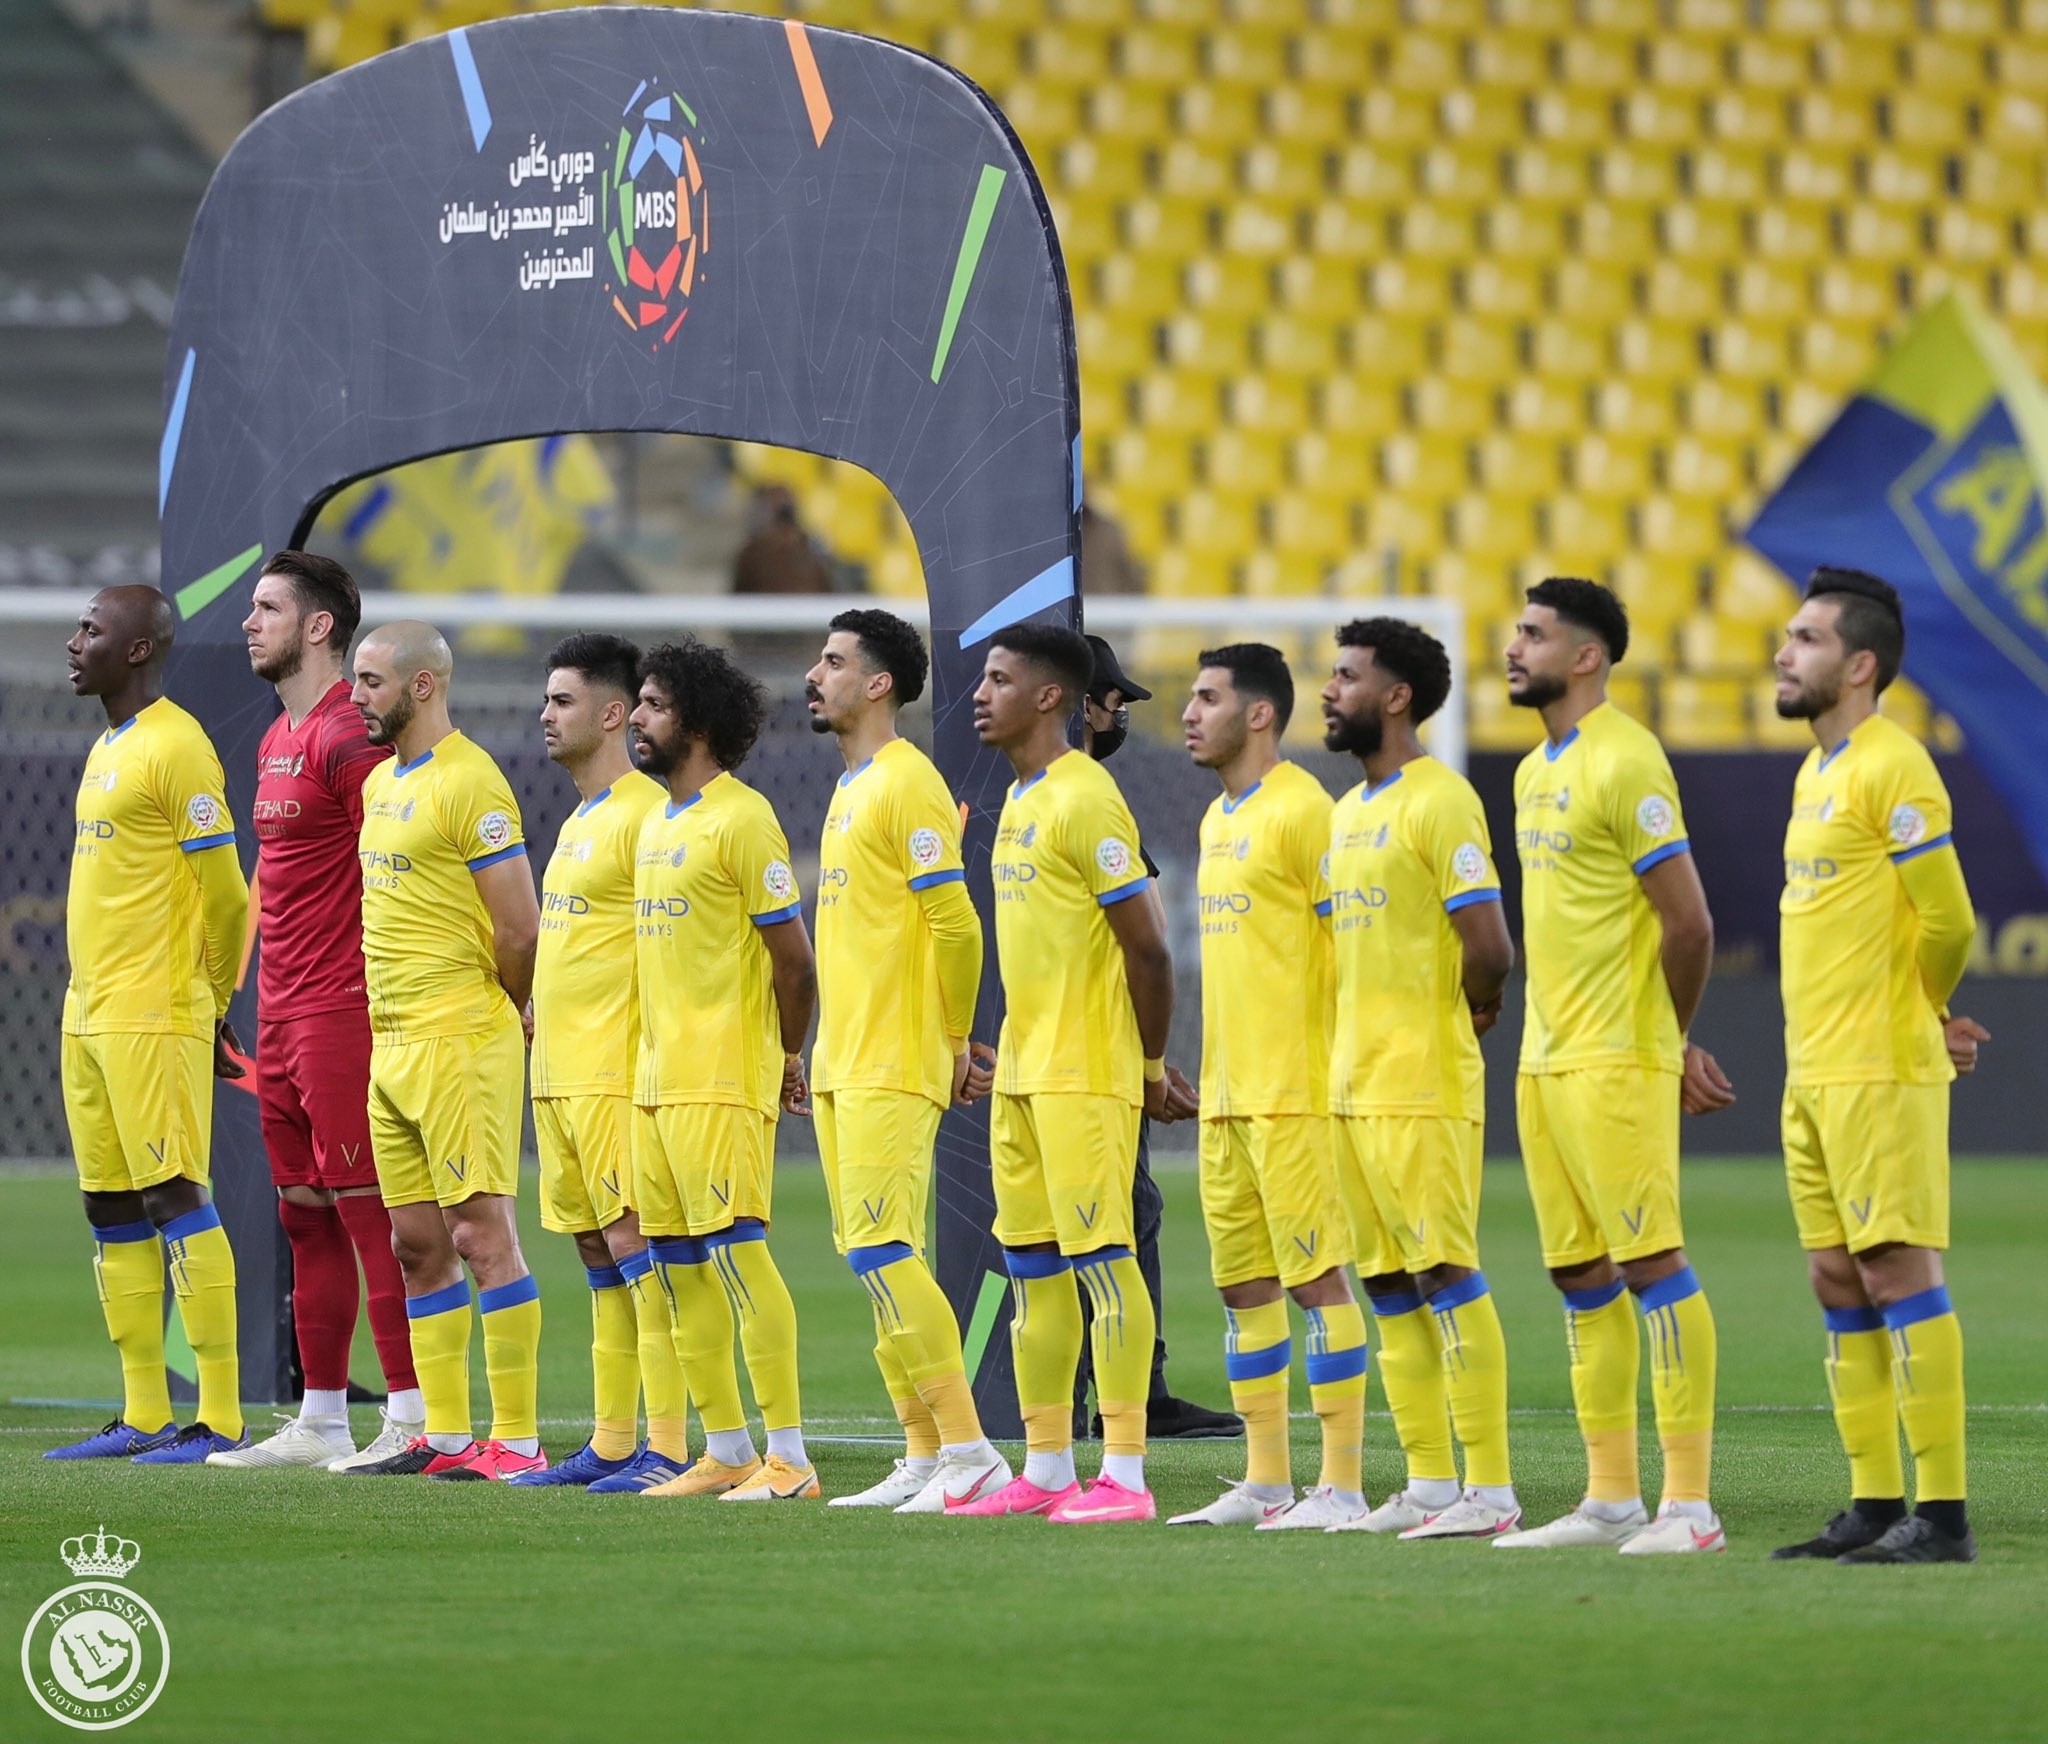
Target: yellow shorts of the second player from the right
(1601, 1149)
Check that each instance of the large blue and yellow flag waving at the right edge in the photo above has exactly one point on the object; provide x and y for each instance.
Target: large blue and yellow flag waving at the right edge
(1932, 478)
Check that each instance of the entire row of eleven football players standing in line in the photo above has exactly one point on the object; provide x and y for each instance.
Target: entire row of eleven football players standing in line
(1353, 957)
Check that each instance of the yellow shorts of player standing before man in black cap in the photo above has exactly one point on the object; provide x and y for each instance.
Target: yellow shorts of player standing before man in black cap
(1064, 1170)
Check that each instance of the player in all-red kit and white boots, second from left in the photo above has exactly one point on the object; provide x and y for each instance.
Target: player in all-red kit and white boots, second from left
(314, 1020)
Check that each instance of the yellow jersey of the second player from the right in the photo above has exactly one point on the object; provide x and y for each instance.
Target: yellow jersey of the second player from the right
(1594, 816)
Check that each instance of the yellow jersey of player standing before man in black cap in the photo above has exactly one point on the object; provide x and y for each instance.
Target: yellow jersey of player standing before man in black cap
(1066, 848)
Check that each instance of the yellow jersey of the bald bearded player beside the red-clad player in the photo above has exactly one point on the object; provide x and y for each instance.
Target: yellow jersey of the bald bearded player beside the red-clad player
(429, 828)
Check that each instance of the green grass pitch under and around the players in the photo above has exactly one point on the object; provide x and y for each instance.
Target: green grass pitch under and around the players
(323, 1608)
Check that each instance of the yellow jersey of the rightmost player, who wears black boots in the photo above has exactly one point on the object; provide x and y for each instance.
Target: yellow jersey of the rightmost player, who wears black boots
(1857, 1010)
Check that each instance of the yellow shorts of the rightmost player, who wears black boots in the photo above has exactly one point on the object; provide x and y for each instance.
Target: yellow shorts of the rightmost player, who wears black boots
(1869, 1164)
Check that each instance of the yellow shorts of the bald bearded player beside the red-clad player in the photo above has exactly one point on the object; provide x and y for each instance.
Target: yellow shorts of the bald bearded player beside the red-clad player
(445, 1115)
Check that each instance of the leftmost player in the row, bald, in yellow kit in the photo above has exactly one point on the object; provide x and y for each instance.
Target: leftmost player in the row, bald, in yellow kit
(155, 924)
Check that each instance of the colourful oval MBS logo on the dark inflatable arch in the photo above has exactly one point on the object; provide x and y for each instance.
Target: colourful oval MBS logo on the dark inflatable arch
(658, 216)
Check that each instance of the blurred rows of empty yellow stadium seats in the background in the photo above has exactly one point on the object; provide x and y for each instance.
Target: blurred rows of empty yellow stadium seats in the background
(1517, 284)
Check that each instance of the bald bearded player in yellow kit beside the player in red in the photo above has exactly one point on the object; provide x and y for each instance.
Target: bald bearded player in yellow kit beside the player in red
(450, 932)
